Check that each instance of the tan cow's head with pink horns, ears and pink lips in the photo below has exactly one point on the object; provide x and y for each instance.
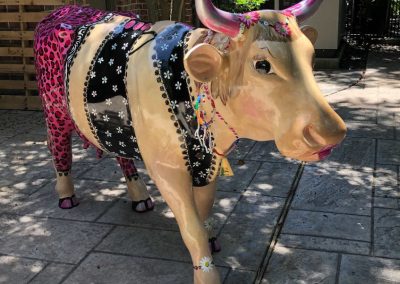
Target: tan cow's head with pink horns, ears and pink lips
(265, 77)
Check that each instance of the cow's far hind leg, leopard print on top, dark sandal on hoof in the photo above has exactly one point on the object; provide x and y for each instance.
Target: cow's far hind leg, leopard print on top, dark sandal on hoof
(137, 190)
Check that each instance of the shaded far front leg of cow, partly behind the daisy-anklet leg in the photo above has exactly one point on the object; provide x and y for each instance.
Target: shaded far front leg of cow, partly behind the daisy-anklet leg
(204, 198)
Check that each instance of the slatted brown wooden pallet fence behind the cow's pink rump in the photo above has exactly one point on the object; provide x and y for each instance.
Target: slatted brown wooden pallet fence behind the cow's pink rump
(18, 19)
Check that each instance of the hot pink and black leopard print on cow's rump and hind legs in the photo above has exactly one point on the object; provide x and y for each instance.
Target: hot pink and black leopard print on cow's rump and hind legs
(54, 36)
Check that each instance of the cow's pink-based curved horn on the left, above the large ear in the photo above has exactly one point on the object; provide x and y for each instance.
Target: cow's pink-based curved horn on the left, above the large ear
(216, 19)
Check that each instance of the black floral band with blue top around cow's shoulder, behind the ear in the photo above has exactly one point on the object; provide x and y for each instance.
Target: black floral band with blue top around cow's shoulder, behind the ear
(175, 87)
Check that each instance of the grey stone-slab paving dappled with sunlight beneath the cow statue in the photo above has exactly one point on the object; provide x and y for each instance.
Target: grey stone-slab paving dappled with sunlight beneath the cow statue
(278, 221)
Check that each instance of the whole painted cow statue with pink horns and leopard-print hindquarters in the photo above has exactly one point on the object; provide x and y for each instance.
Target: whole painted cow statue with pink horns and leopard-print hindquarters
(179, 98)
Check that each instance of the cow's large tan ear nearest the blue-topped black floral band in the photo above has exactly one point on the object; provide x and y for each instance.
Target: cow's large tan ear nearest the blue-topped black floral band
(203, 62)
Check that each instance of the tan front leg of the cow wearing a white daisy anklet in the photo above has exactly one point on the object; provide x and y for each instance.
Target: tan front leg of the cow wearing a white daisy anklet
(176, 187)
